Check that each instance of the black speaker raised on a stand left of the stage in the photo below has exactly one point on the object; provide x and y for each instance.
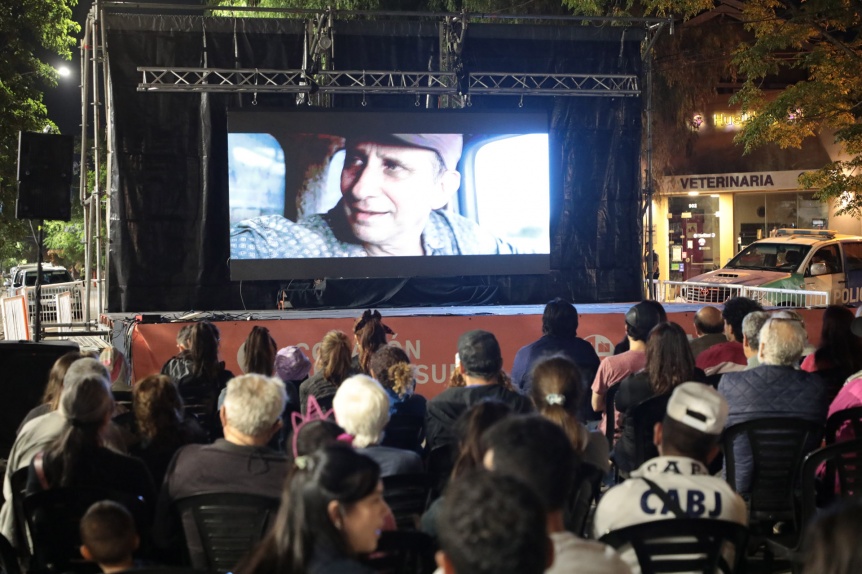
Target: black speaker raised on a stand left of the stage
(44, 176)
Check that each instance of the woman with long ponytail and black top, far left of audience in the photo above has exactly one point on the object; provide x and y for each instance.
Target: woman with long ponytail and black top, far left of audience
(78, 456)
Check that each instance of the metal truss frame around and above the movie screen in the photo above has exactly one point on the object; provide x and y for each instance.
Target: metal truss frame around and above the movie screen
(452, 84)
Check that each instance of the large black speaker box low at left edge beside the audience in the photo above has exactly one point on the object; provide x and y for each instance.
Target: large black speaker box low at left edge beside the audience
(25, 366)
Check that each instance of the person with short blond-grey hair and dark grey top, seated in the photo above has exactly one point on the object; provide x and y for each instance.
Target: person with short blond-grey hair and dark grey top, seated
(240, 462)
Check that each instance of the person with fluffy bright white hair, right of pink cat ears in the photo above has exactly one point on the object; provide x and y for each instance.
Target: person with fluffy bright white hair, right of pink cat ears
(362, 409)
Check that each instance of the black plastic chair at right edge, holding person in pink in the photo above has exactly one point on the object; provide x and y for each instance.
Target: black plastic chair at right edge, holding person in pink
(842, 479)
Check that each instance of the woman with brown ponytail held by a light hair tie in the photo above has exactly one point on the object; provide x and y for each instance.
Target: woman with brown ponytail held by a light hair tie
(557, 391)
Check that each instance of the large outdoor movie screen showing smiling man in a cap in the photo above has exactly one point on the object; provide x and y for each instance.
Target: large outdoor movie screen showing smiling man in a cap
(351, 194)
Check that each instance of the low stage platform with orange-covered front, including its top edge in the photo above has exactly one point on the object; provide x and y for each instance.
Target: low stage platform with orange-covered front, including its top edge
(428, 334)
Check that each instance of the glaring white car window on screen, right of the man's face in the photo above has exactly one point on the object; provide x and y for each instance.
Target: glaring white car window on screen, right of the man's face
(511, 177)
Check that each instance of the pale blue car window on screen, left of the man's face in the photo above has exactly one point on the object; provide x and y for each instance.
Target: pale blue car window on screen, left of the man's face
(256, 170)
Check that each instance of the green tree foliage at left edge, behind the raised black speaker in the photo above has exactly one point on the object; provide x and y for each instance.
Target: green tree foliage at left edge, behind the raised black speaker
(29, 28)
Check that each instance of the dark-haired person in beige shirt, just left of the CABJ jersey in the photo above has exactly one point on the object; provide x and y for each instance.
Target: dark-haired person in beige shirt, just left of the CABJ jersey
(537, 452)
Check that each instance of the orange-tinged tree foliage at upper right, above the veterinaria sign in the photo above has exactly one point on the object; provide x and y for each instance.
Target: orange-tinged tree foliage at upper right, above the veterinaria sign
(822, 39)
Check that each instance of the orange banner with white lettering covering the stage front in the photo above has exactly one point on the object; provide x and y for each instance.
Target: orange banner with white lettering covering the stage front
(430, 341)
